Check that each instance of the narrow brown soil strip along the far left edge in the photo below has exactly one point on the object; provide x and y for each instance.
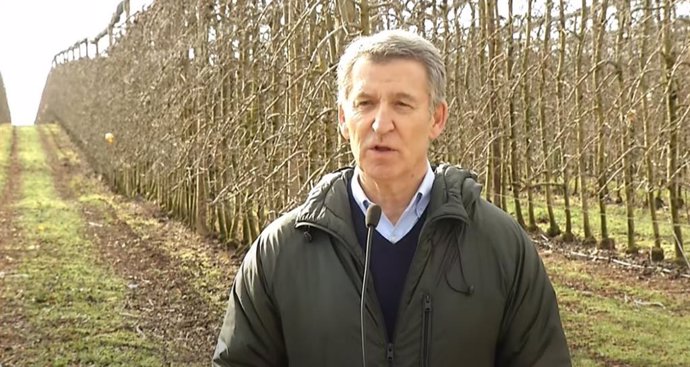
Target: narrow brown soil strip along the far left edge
(11, 339)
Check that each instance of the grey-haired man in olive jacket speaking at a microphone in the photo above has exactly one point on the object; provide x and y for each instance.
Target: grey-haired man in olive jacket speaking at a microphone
(456, 282)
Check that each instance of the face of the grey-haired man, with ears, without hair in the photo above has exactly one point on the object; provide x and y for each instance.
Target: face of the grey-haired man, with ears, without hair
(388, 119)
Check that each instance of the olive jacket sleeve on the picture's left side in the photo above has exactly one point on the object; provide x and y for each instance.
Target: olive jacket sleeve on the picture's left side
(251, 333)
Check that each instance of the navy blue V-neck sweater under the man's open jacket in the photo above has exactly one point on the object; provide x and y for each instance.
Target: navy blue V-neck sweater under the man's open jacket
(389, 263)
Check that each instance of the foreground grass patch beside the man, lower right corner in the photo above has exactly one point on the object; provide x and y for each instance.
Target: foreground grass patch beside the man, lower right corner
(620, 319)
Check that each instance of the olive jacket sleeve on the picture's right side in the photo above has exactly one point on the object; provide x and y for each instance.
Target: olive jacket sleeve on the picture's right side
(532, 331)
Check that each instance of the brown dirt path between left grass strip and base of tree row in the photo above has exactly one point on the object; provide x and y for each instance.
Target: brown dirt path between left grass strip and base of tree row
(174, 310)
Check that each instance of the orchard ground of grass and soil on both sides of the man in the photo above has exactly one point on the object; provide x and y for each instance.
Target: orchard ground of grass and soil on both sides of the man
(90, 278)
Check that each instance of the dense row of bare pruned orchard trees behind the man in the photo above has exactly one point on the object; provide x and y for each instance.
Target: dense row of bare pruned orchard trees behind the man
(224, 112)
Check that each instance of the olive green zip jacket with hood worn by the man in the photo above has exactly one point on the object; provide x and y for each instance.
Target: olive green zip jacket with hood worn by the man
(476, 293)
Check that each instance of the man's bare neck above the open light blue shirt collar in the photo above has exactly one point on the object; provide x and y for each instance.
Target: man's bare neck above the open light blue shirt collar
(395, 195)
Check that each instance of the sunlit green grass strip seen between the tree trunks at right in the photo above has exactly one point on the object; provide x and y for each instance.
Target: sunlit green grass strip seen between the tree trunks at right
(616, 222)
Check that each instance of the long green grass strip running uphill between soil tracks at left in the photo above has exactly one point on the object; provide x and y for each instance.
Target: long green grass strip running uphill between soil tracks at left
(75, 306)
